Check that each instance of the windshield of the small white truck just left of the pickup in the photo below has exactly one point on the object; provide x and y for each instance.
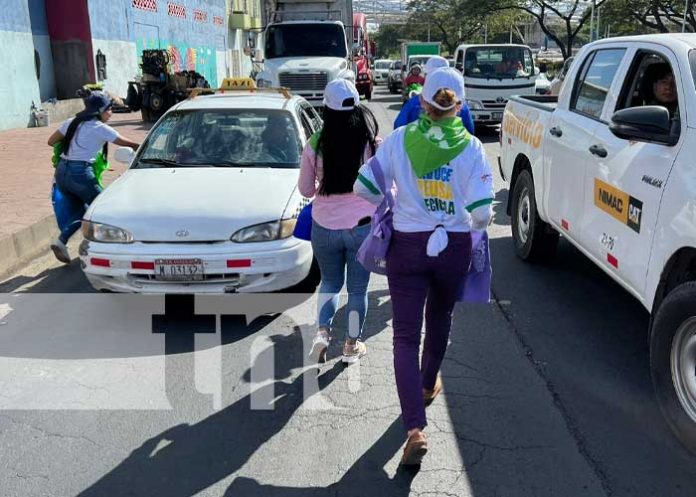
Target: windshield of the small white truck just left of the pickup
(498, 62)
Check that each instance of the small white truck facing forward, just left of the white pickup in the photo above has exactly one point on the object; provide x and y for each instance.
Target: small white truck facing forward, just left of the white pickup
(492, 74)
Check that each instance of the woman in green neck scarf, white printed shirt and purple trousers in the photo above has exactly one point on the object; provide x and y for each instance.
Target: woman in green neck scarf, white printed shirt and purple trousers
(444, 190)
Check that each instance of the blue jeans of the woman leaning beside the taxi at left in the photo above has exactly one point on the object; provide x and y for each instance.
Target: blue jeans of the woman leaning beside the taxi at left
(79, 186)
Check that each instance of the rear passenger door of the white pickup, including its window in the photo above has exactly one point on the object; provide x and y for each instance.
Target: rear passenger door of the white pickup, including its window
(569, 137)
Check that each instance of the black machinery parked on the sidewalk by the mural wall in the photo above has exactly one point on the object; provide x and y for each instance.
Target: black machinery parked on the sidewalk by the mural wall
(159, 88)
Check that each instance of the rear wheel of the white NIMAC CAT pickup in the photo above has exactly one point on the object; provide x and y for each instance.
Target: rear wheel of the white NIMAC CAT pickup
(534, 239)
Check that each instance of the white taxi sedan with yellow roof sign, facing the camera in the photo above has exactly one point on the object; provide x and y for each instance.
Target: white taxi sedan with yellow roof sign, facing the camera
(209, 202)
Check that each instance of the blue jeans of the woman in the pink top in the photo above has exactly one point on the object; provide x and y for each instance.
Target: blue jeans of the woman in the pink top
(336, 252)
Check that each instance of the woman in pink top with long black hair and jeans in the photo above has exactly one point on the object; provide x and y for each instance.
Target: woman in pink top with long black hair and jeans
(340, 219)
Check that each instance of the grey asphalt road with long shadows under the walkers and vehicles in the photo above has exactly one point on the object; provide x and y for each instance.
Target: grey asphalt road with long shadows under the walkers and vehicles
(547, 391)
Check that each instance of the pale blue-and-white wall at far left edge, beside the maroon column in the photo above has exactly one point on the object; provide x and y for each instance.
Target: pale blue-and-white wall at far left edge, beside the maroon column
(19, 86)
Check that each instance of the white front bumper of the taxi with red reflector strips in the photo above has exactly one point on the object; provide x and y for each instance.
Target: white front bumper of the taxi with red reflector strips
(227, 266)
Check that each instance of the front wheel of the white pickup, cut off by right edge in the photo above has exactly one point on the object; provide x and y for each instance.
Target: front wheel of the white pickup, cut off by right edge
(673, 361)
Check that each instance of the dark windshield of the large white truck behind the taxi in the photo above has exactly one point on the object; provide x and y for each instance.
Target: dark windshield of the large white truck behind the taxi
(305, 40)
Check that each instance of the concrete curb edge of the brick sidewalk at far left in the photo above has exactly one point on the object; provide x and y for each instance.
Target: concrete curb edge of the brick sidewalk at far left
(21, 247)
